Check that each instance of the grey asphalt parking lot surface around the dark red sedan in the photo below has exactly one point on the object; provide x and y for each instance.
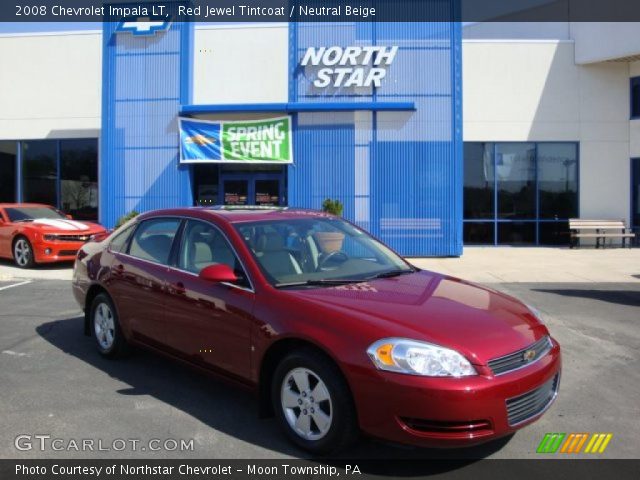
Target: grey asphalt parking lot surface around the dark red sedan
(55, 383)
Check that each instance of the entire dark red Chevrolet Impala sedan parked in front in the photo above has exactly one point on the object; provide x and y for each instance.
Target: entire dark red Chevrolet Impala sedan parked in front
(335, 332)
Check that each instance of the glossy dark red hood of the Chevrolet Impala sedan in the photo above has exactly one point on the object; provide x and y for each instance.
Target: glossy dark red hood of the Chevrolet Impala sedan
(479, 322)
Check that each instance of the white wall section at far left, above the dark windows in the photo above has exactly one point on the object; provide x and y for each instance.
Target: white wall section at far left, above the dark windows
(50, 85)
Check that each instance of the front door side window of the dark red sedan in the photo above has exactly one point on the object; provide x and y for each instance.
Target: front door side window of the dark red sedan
(204, 245)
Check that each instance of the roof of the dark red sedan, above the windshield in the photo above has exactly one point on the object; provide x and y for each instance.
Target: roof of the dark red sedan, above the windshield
(244, 214)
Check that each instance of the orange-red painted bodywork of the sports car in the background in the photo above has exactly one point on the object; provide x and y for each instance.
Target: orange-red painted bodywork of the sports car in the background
(59, 250)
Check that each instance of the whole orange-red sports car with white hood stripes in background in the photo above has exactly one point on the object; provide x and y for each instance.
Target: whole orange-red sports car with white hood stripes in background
(31, 233)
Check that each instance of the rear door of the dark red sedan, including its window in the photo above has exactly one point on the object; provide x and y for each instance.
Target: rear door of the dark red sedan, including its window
(138, 279)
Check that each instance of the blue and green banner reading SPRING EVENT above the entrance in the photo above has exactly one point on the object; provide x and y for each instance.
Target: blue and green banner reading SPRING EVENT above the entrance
(254, 141)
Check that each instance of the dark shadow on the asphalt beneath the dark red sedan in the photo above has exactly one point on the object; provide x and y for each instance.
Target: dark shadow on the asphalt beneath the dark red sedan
(230, 409)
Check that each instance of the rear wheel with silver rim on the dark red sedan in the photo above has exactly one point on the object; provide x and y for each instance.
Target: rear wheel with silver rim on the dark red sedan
(105, 328)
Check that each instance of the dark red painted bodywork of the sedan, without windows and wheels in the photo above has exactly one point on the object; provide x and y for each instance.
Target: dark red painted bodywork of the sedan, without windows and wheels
(189, 317)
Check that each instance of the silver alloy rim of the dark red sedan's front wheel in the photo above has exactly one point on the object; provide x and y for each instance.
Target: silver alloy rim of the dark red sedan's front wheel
(306, 403)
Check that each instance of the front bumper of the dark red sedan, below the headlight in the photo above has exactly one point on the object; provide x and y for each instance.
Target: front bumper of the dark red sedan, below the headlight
(451, 412)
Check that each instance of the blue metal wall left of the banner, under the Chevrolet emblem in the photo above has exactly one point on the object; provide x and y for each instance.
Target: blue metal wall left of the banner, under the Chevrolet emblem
(144, 81)
